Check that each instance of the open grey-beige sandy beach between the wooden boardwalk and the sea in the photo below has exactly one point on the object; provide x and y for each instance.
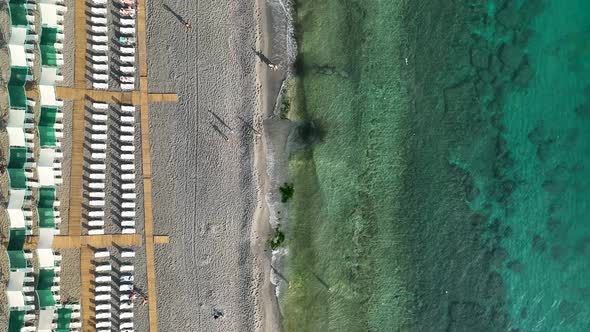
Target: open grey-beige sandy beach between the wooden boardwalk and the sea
(208, 167)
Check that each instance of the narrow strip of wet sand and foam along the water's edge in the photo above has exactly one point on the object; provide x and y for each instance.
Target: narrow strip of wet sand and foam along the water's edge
(266, 157)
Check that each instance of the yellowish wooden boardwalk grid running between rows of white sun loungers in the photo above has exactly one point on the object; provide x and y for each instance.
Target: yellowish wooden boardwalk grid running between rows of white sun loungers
(81, 96)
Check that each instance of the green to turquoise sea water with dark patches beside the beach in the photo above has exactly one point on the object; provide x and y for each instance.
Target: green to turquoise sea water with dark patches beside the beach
(450, 188)
